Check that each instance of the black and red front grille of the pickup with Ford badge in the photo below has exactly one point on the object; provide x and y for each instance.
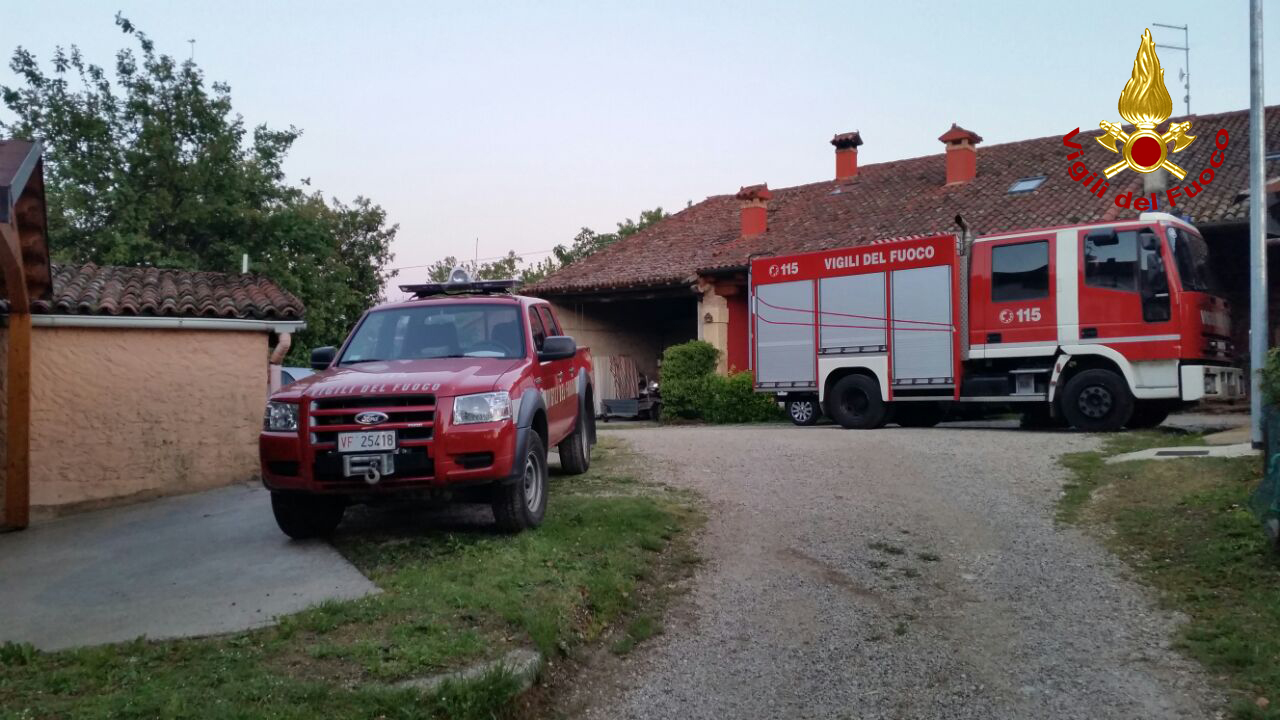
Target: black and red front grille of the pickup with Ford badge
(413, 417)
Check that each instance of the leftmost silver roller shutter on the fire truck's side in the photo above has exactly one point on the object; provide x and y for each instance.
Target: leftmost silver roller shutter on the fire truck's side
(784, 334)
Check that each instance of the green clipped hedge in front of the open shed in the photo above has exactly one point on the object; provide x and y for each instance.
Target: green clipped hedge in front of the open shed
(693, 391)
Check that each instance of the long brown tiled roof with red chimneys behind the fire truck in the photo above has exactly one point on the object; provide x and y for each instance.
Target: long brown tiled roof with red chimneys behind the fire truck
(909, 197)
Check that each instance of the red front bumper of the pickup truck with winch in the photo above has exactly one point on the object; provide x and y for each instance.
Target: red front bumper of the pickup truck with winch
(452, 457)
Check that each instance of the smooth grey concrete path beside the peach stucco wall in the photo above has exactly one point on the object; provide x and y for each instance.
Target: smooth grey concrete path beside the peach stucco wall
(193, 566)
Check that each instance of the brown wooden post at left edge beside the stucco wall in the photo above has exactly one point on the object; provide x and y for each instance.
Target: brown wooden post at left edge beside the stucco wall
(17, 385)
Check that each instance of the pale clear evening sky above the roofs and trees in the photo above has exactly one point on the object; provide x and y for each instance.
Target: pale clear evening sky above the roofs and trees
(484, 127)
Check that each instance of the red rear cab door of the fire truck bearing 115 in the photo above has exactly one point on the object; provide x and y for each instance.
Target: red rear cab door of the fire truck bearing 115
(1013, 291)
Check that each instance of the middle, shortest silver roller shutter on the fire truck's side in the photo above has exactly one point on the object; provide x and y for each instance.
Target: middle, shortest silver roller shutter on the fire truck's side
(852, 312)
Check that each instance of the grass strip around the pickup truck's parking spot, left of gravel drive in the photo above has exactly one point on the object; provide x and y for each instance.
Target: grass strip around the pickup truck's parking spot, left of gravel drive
(451, 598)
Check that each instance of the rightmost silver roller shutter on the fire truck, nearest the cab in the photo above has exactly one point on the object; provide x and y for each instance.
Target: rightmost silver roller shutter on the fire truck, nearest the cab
(922, 325)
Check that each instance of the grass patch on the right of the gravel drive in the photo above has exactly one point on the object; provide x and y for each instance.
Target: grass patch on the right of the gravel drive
(1185, 526)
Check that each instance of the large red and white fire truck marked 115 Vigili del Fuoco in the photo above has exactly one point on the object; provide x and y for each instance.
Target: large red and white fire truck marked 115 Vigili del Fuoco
(1099, 327)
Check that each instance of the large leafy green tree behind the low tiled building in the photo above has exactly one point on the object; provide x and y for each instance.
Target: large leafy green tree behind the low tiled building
(150, 166)
